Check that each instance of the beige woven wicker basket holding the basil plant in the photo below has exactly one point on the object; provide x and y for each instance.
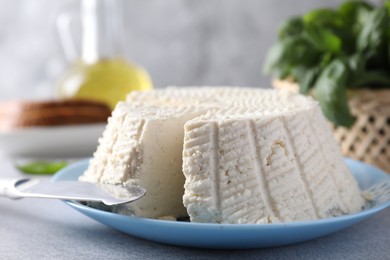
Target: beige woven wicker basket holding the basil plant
(368, 139)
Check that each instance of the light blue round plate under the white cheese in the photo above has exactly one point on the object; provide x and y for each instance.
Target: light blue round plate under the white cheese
(228, 236)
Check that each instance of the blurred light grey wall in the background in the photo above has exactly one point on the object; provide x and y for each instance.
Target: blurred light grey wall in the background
(180, 42)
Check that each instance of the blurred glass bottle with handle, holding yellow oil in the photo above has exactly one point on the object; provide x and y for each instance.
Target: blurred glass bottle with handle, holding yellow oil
(101, 72)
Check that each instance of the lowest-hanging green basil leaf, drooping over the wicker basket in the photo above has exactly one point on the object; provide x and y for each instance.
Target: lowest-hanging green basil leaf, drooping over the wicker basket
(330, 92)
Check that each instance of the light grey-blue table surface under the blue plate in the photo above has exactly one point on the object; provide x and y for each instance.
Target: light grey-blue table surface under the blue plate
(49, 229)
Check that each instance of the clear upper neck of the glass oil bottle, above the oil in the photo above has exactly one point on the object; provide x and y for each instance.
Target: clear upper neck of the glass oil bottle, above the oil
(102, 24)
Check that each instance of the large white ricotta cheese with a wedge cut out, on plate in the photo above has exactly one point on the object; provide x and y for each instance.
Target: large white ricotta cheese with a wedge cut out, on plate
(239, 155)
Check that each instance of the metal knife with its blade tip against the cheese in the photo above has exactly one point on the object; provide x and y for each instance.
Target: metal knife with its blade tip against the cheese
(70, 190)
